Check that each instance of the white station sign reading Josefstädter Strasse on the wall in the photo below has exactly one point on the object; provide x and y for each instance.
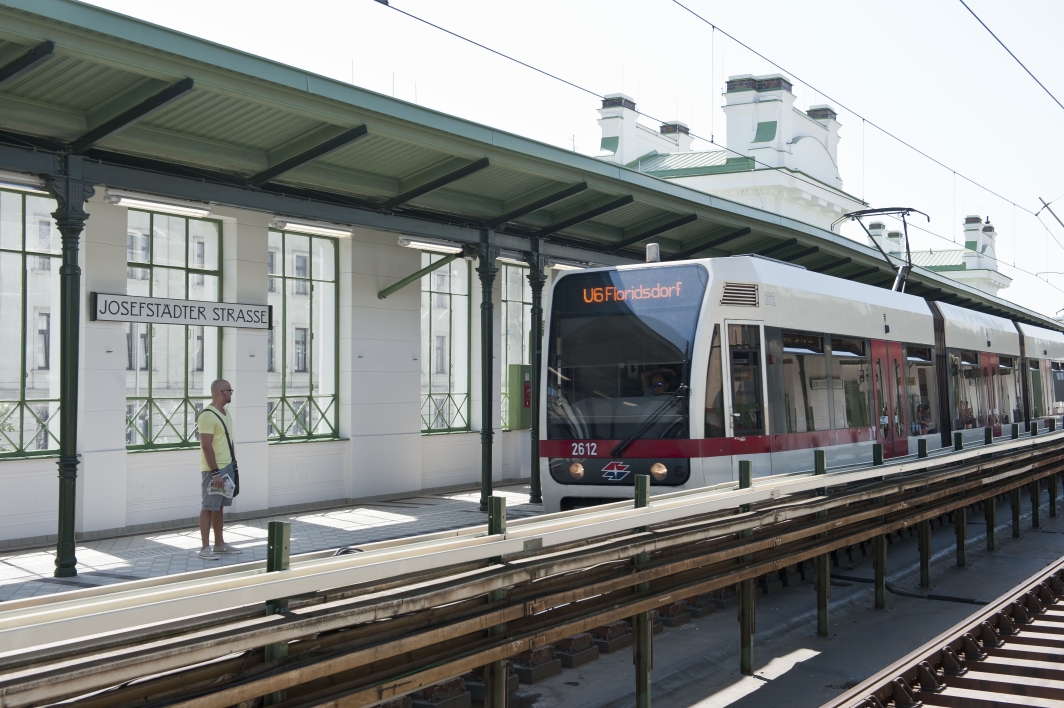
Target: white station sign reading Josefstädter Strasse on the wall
(162, 311)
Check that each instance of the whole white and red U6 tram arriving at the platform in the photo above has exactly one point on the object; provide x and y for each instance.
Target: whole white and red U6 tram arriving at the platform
(681, 370)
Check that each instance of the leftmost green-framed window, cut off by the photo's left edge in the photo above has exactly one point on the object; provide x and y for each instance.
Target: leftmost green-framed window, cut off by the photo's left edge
(30, 248)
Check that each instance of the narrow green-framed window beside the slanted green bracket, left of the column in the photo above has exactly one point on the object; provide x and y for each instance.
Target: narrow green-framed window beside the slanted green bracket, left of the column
(445, 347)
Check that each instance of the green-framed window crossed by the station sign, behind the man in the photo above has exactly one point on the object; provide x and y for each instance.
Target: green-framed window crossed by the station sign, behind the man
(178, 258)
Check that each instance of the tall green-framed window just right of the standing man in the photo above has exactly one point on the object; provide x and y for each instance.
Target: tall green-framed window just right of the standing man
(303, 349)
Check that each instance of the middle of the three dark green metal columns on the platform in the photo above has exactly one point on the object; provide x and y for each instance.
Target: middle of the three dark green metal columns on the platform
(488, 271)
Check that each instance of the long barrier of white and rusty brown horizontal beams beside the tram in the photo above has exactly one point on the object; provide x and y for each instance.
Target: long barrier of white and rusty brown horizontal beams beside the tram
(395, 618)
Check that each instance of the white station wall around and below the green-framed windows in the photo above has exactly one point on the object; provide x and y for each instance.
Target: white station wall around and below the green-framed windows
(381, 450)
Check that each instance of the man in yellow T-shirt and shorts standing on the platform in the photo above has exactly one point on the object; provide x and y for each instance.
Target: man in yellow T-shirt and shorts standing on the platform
(217, 460)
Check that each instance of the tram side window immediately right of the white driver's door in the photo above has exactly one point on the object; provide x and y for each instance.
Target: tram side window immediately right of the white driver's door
(806, 383)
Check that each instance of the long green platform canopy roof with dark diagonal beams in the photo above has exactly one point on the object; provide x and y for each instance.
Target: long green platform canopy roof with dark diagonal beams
(162, 112)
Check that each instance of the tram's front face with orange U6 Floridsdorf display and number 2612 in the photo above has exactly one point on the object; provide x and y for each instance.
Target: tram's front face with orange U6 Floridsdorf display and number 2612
(621, 382)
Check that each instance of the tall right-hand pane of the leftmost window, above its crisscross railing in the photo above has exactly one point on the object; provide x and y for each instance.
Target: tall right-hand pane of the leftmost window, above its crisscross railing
(42, 327)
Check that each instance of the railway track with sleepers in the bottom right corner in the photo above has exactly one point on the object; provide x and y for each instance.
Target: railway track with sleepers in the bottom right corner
(1008, 654)
